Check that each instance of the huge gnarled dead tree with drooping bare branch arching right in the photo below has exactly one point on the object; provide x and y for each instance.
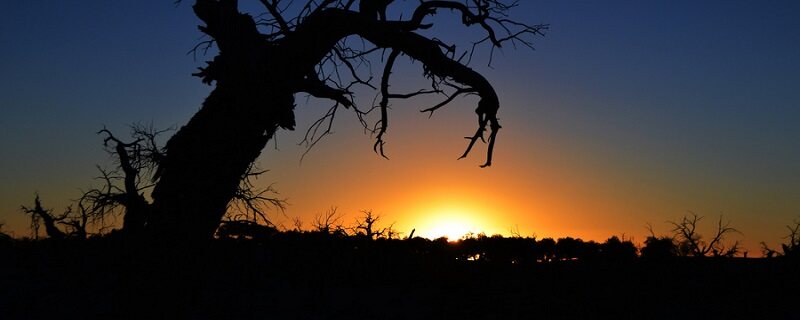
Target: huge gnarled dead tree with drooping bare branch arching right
(260, 66)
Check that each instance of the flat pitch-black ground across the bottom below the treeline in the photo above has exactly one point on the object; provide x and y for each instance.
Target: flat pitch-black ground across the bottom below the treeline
(320, 279)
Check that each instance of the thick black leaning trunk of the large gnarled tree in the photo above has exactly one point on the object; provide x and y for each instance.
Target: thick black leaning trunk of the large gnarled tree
(207, 158)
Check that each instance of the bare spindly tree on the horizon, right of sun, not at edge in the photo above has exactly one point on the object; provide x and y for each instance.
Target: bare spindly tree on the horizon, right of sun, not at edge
(691, 243)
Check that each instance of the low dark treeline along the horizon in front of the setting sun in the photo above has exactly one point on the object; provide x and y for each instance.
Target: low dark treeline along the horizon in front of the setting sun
(327, 231)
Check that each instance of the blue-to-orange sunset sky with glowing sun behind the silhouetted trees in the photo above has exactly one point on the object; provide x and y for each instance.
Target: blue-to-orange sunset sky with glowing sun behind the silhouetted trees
(627, 113)
